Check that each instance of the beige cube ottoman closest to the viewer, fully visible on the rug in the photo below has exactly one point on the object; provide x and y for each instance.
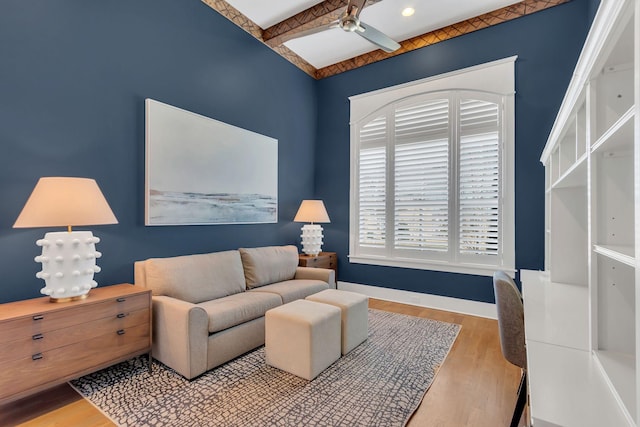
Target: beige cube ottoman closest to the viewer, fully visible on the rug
(302, 337)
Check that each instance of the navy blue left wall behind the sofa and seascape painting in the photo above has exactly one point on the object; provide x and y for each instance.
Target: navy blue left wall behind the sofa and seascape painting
(73, 78)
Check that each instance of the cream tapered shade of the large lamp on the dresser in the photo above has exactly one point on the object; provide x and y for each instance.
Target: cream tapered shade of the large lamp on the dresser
(61, 201)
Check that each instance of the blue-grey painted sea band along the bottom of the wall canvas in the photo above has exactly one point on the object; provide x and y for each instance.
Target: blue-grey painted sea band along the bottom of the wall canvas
(174, 208)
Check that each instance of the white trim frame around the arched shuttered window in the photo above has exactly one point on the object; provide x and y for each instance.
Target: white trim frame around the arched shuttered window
(497, 77)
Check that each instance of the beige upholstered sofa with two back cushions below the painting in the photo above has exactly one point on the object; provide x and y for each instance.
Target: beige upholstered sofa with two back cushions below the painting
(209, 308)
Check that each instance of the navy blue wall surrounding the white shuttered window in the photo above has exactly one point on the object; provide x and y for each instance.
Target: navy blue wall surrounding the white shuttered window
(548, 44)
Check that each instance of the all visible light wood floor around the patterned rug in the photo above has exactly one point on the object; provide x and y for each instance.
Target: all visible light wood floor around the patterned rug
(474, 387)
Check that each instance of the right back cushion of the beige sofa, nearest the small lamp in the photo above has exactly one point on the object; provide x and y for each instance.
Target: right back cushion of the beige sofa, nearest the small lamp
(270, 264)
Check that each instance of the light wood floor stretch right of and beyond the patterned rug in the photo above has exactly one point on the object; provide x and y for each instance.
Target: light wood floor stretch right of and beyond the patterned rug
(475, 386)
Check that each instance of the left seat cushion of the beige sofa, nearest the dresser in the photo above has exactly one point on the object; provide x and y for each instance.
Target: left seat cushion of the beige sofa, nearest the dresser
(239, 308)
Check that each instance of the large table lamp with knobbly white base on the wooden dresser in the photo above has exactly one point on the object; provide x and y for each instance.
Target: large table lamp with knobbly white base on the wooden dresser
(68, 257)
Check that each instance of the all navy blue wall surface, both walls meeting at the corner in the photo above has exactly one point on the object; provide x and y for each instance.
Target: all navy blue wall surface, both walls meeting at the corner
(74, 75)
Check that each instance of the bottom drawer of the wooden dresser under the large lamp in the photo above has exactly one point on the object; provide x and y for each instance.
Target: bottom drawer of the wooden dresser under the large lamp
(73, 360)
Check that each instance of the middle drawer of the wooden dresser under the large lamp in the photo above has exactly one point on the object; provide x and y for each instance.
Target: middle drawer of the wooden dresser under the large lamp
(25, 346)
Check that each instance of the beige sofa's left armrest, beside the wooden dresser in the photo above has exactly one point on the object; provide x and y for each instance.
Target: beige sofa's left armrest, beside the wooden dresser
(180, 335)
